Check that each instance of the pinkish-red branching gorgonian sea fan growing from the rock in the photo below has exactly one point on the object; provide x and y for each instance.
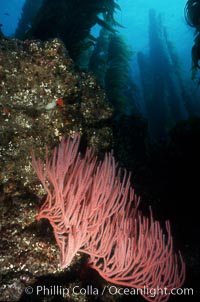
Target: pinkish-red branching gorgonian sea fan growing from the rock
(93, 209)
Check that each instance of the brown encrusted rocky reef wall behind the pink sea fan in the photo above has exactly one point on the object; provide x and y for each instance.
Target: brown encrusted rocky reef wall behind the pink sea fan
(42, 98)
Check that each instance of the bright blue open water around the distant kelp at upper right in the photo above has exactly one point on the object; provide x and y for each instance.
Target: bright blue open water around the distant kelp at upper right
(134, 17)
